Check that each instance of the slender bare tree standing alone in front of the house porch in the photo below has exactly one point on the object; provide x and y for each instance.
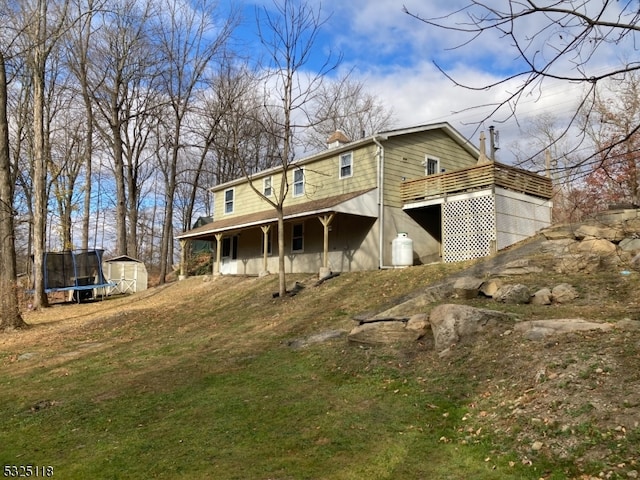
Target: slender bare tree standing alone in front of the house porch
(289, 33)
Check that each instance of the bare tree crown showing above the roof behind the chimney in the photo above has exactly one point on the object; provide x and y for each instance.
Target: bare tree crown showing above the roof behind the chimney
(345, 105)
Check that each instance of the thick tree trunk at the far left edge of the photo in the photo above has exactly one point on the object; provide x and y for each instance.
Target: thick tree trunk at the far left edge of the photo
(10, 317)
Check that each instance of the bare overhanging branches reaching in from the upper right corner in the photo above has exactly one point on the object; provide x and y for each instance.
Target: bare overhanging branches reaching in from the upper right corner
(561, 41)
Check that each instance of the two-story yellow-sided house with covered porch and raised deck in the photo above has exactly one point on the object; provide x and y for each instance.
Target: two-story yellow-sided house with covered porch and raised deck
(348, 203)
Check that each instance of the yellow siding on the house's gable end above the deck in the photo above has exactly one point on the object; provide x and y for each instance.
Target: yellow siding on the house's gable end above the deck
(404, 158)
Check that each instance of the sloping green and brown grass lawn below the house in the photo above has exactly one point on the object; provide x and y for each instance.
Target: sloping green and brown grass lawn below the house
(196, 380)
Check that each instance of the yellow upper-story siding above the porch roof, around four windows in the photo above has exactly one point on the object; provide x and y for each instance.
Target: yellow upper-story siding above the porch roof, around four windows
(322, 180)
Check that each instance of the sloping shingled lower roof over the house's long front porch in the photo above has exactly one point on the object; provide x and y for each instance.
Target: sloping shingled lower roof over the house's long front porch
(362, 203)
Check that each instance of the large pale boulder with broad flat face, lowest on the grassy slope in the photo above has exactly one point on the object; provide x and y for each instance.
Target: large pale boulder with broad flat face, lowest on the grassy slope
(452, 324)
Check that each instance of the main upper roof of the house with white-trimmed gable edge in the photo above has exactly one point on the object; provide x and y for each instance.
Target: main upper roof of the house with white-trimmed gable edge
(373, 139)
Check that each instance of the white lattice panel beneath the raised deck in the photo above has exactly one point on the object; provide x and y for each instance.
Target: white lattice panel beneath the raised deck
(468, 228)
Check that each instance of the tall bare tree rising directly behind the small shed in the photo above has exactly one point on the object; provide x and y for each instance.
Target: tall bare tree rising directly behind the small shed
(122, 74)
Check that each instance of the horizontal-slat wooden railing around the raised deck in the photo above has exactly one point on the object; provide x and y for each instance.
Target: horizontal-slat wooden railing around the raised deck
(476, 178)
